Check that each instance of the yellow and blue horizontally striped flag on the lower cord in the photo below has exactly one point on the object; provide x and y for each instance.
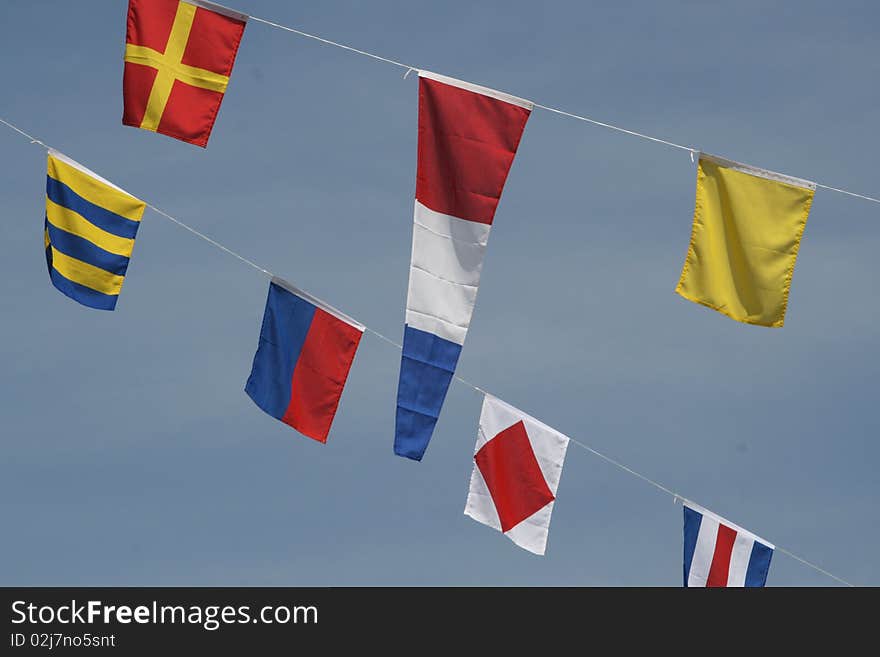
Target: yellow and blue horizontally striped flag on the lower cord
(89, 232)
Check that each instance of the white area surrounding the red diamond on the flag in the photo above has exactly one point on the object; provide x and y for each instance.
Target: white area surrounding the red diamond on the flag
(549, 447)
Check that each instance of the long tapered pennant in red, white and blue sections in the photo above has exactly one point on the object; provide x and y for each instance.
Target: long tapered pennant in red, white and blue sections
(468, 137)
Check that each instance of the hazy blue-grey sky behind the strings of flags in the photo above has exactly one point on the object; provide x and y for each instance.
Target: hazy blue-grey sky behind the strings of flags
(132, 455)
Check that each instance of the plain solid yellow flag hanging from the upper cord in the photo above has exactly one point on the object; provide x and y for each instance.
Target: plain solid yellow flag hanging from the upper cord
(747, 230)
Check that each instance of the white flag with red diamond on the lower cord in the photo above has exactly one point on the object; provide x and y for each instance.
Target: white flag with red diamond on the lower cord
(517, 465)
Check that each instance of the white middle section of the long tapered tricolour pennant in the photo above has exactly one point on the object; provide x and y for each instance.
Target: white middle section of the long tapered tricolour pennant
(447, 260)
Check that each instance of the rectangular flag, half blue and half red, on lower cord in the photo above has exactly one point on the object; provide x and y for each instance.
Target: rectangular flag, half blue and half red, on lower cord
(302, 362)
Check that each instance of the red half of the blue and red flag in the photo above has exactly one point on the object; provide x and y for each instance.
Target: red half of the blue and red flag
(320, 374)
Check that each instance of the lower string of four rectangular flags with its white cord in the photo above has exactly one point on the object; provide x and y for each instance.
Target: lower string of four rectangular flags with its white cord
(517, 458)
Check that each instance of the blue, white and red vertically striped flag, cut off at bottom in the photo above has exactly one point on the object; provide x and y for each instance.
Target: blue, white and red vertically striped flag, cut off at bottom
(718, 553)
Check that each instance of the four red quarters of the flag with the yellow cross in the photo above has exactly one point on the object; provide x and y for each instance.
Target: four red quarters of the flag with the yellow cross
(212, 46)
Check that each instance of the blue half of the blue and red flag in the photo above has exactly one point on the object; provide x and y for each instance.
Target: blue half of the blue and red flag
(286, 324)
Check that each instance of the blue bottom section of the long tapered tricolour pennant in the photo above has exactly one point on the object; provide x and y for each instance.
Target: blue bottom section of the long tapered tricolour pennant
(426, 370)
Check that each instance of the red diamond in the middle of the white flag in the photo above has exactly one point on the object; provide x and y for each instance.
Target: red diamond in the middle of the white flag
(513, 476)
